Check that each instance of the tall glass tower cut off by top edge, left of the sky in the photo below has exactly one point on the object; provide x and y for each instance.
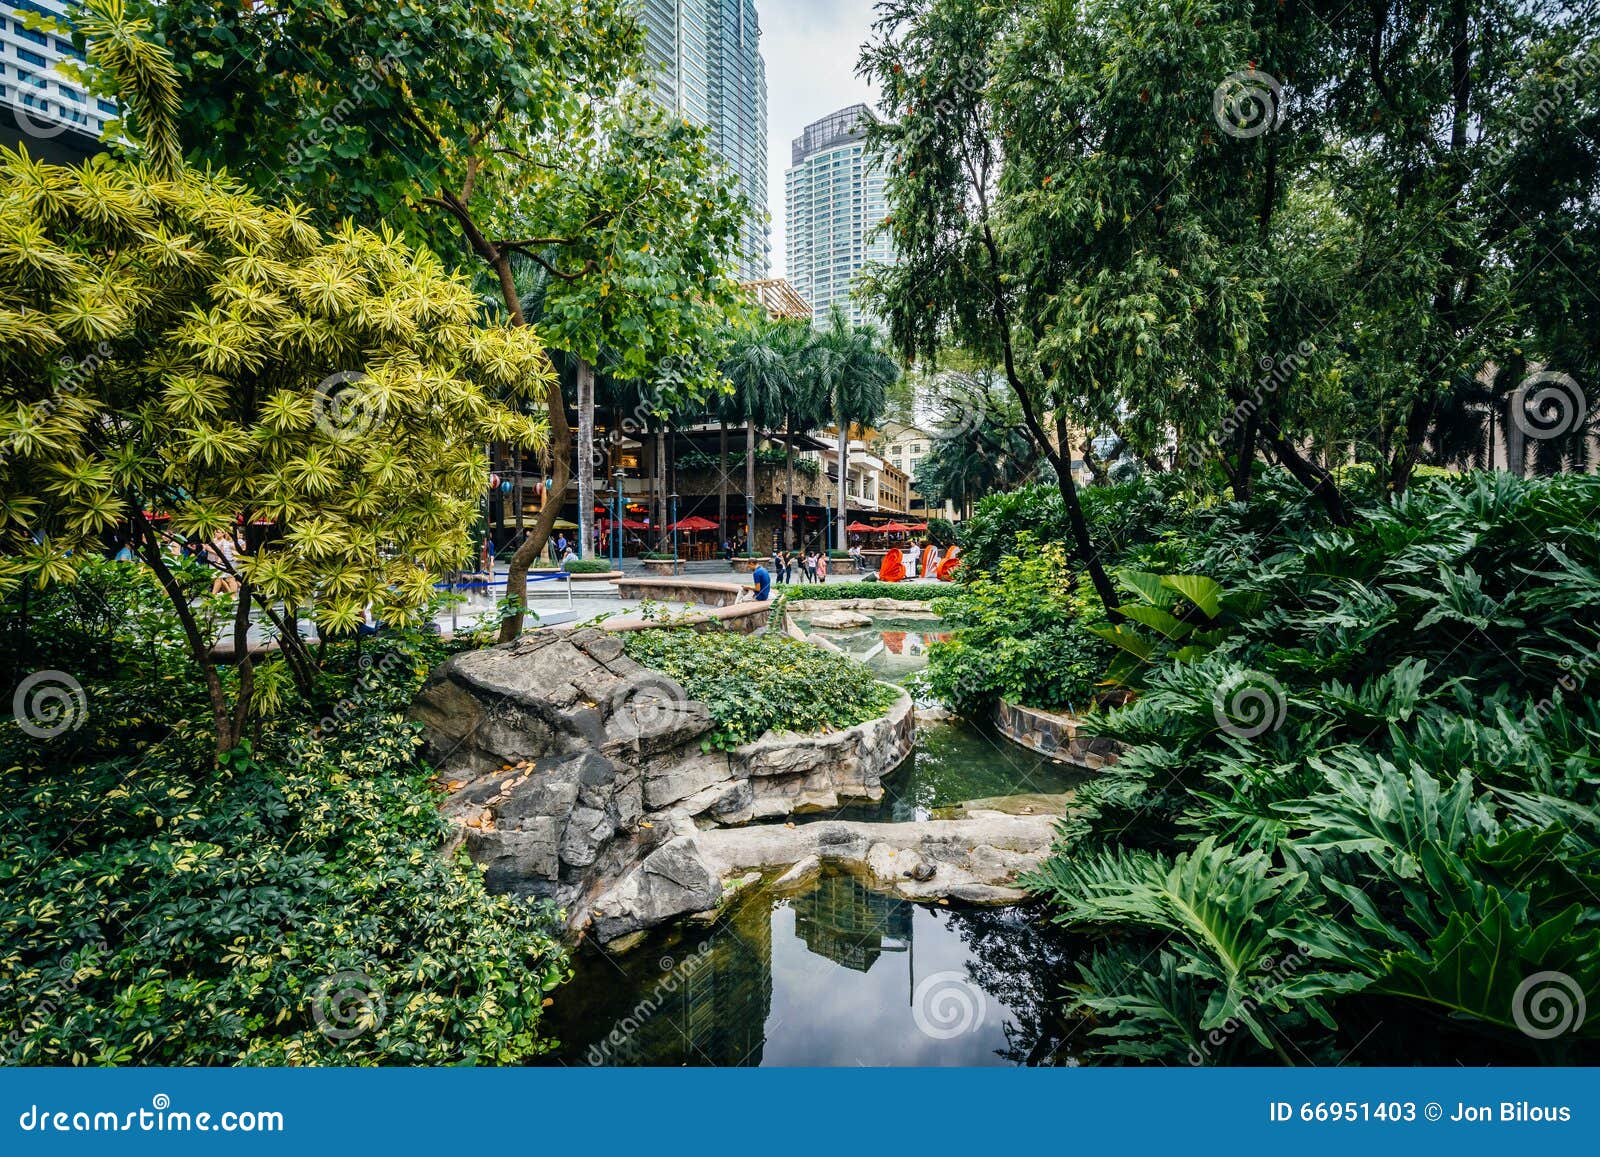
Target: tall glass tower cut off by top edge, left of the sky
(706, 65)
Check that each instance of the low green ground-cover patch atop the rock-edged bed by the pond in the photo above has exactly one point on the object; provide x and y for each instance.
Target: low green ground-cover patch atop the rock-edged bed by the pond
(758, 684)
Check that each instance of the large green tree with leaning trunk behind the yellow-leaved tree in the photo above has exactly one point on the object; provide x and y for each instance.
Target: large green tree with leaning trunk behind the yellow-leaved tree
(513, 134)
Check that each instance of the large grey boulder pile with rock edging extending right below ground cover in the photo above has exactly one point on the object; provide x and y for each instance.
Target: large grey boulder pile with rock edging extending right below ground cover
(570, 767)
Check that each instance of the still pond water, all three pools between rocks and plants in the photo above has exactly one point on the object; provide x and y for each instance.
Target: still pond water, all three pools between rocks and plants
(841, 975)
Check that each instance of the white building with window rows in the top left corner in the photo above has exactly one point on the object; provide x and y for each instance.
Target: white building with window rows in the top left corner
(44, 110)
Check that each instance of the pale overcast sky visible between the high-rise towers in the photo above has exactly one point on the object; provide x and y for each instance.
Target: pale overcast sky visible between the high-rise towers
(810, 49)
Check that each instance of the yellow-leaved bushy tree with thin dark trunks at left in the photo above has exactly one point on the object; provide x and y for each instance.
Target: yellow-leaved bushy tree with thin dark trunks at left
(175, 346)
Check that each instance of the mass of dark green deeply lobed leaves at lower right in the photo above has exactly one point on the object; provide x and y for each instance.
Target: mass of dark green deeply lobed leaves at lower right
(1369, 814)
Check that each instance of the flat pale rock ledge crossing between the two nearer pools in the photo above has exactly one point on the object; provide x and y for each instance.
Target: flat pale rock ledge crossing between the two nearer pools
(977, 860)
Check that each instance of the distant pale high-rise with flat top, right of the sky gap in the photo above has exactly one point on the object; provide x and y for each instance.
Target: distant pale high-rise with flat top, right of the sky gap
(834, 198)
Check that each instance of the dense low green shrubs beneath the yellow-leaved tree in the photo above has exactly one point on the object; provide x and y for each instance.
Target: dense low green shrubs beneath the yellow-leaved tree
(161, 910)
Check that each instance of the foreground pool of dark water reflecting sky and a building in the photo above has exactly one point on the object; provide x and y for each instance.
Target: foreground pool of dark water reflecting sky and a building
(838, 975)
